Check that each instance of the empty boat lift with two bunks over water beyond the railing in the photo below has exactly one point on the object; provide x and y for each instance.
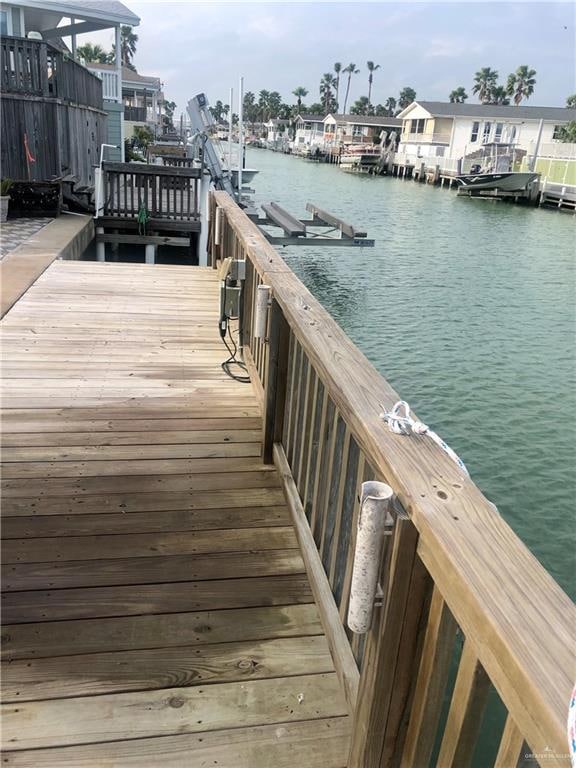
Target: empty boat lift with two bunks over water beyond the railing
(301, 231)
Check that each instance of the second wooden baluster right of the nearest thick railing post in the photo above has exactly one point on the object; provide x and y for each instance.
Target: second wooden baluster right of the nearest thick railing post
(466, 709)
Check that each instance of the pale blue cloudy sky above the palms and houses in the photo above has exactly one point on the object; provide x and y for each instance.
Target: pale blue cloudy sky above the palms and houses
(433, 47)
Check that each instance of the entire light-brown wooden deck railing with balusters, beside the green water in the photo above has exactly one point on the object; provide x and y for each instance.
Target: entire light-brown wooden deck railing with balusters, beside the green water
(458, 585)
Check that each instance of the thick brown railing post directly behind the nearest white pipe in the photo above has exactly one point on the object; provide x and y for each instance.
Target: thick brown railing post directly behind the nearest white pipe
(392, 654)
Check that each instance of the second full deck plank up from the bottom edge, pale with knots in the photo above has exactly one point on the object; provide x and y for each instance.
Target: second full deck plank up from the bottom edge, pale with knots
(170, 711)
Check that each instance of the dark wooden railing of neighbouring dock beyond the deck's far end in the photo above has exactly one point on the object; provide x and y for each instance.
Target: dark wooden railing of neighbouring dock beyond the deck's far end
(165, 193)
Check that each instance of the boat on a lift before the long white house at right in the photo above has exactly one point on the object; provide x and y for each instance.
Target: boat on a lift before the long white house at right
(494, 171)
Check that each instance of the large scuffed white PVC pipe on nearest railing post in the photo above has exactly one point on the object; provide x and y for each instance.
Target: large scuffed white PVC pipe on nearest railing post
(373, 522)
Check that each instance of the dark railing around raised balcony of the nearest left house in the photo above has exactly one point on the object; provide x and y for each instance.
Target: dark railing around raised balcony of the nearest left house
(35, 68)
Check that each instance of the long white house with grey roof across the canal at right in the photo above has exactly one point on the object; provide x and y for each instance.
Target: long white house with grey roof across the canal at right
(433, 129)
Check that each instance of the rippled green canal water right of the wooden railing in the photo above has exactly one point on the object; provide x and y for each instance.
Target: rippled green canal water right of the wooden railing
(467, 307)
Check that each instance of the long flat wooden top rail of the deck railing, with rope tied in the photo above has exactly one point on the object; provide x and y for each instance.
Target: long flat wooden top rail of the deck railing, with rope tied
(518, 619)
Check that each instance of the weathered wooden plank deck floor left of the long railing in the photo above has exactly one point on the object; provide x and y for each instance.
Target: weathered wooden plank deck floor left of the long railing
(156, 608)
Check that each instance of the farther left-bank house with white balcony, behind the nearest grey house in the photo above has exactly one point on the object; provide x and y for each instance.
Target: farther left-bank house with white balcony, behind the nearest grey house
(142, 98)
